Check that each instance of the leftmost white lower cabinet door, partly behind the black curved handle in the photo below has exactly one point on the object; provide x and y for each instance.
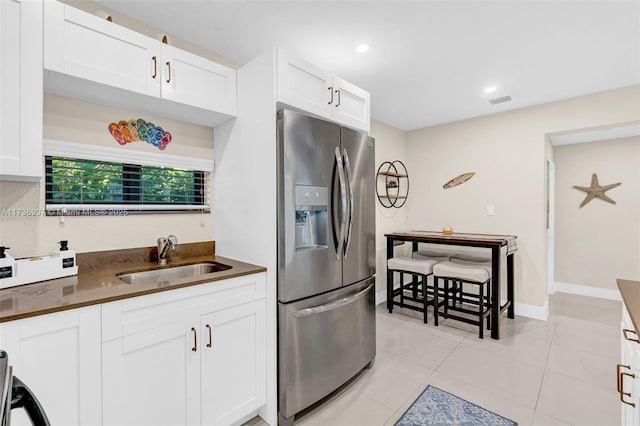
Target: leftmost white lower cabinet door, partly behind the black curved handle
(58, 357)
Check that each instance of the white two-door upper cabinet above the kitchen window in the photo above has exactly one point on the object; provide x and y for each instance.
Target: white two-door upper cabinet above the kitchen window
(90, 58)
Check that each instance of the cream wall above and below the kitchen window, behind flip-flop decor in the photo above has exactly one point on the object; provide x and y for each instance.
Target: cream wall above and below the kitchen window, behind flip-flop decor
(77, 121)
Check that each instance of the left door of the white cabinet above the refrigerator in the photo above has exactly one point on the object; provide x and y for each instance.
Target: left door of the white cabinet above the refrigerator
(304, 86)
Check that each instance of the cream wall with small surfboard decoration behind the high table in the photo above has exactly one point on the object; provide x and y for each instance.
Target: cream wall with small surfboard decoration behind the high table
(507, 153)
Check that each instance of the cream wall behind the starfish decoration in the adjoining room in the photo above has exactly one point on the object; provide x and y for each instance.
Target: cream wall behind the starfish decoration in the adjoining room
(599, 242)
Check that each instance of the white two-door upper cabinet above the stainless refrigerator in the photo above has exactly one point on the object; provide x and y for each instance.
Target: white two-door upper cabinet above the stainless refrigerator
(308, 88)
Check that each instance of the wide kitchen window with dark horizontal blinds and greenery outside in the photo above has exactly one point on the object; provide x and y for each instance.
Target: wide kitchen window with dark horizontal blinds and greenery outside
(100, 187)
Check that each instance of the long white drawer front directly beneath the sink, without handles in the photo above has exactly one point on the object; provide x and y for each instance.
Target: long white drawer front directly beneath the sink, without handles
(137, 314)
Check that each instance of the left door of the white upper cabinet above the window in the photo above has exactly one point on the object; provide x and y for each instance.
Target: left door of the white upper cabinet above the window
(82, 45)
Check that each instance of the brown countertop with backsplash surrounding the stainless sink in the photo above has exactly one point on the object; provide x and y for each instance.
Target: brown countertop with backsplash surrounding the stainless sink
(97, 283)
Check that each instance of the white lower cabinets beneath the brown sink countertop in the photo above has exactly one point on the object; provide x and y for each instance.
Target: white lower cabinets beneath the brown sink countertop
(190, 356)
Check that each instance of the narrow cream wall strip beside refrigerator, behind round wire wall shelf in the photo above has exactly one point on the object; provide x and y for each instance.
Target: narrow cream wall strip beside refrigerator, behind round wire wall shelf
(390, 146)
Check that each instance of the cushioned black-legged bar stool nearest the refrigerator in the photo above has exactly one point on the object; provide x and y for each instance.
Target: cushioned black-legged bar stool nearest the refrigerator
(417, 268)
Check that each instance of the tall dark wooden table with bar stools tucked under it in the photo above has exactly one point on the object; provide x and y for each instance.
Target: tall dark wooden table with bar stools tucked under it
(494, 242)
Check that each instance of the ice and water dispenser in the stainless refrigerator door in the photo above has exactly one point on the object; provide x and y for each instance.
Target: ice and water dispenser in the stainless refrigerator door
(311, 217)
